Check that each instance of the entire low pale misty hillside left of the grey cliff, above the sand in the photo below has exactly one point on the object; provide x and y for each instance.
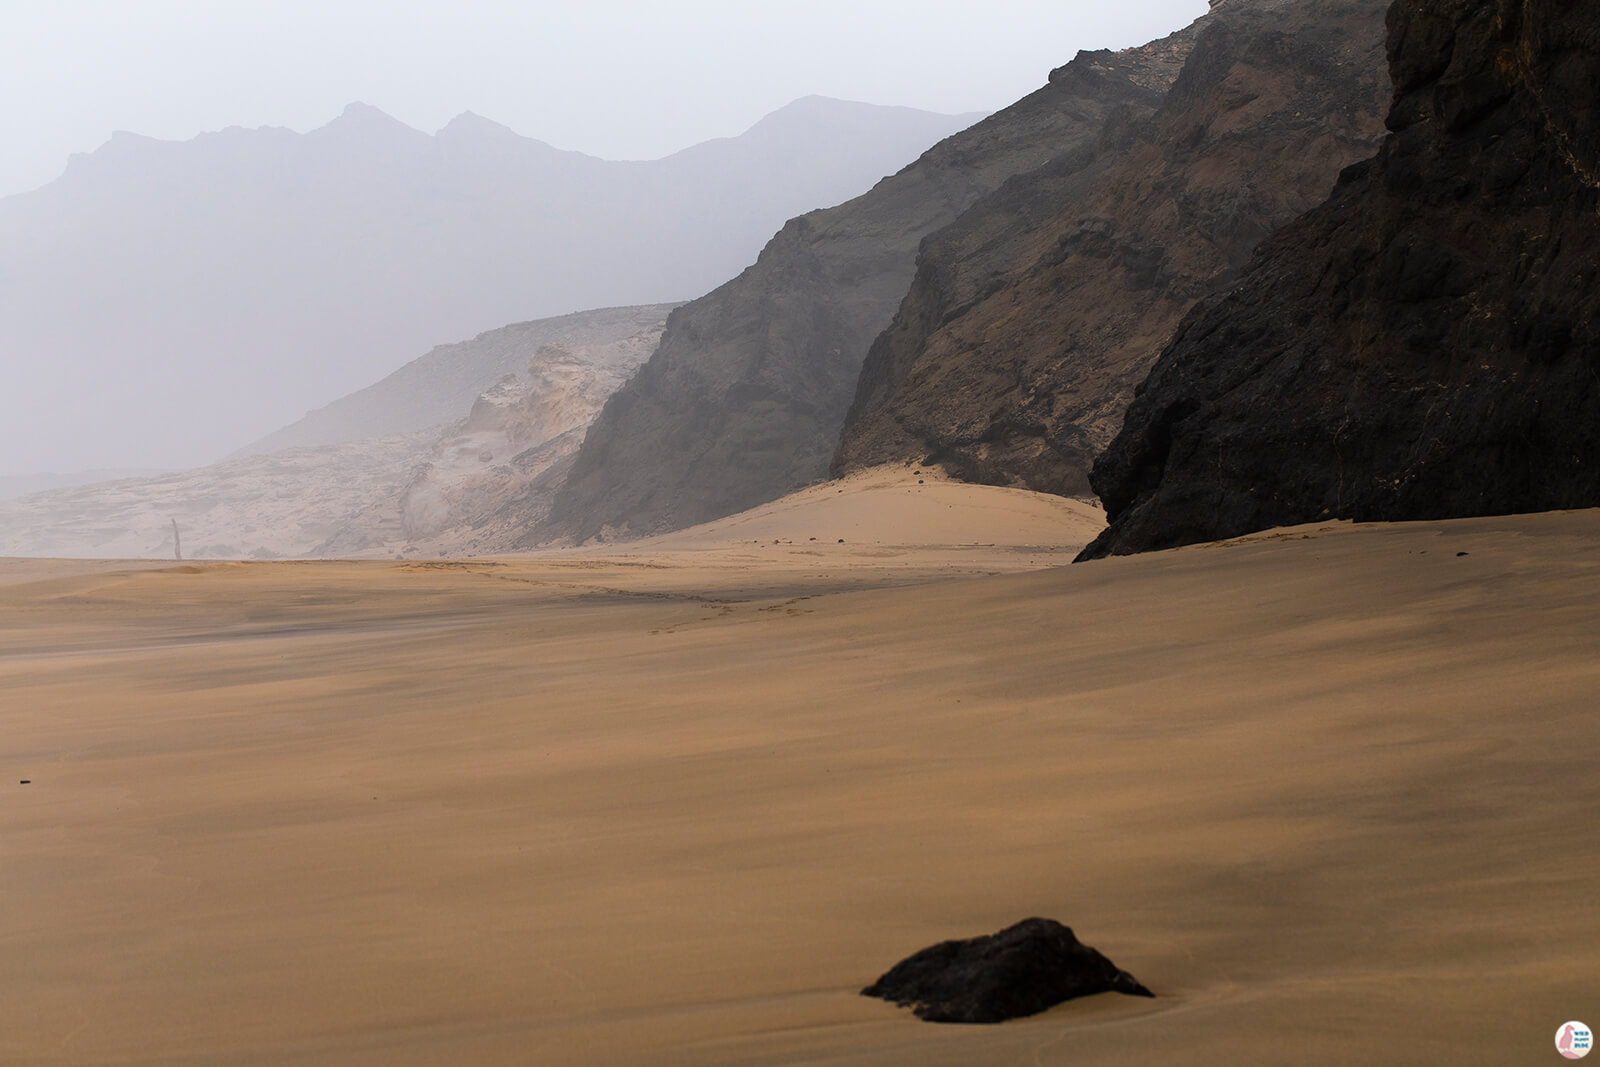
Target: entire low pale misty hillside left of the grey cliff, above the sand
(468, 482)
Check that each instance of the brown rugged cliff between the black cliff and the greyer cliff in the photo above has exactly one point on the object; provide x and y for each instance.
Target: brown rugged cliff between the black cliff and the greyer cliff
(1034, 316)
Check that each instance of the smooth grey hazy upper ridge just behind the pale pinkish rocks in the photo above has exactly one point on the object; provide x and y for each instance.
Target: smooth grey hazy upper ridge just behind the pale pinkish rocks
(434, 390)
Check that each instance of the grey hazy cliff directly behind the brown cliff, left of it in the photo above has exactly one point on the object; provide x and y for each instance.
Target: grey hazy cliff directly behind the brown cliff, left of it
(746, 396)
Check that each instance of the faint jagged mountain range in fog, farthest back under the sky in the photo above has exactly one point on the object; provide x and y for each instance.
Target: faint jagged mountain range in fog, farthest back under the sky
(167, 303)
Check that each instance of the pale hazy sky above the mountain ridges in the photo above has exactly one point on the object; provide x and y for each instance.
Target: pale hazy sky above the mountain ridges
(622, 79)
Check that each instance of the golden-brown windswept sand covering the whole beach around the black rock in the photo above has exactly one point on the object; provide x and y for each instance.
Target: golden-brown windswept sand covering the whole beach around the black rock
(1330, 793)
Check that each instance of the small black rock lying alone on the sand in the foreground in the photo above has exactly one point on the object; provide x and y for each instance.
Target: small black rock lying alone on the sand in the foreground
(1020, 972)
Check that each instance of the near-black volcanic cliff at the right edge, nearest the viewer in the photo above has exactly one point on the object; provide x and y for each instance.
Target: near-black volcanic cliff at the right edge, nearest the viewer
(1423, 346)
